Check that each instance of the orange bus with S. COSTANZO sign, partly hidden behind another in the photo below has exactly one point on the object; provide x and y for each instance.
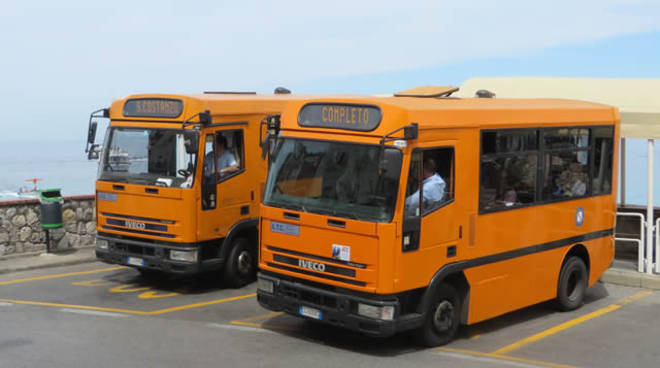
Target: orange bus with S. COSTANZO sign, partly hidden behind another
(180, 180)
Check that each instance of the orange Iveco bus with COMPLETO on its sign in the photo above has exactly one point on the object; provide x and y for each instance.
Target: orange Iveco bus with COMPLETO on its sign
(426, 212)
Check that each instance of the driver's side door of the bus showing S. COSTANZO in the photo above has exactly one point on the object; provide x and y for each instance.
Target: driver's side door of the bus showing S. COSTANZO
(225, 189)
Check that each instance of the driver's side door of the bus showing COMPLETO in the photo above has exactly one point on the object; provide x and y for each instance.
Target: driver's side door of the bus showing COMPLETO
(431, 224)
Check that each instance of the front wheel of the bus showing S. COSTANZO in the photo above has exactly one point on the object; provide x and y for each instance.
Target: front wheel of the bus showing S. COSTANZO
(241, 266)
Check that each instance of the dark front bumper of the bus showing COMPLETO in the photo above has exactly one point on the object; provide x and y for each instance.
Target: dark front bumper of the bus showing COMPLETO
(338, 309)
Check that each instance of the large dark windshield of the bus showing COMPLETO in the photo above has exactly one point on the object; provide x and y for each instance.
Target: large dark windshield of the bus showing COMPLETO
(340, 179)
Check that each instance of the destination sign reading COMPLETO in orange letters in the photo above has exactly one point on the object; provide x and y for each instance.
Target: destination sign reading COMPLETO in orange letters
(363, 118)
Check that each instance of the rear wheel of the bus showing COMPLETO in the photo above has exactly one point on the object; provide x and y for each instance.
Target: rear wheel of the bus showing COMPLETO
(572, 284)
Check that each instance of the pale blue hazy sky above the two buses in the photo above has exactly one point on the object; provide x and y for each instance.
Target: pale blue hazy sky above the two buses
(62, 60)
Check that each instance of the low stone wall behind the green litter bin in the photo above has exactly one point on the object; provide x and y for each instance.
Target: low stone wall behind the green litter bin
(21, 231)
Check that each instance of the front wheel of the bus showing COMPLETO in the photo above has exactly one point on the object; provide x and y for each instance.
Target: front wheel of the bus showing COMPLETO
(442, 318)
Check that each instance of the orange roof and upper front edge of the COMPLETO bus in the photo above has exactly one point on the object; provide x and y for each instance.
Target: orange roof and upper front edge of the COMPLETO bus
(431, 113)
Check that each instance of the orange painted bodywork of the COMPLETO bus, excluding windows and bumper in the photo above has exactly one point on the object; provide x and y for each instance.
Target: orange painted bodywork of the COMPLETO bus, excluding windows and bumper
(521, 276)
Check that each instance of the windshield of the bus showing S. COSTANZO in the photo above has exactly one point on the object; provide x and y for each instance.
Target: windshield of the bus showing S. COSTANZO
(148, 157)
